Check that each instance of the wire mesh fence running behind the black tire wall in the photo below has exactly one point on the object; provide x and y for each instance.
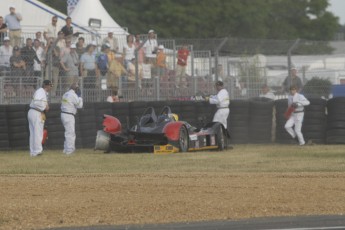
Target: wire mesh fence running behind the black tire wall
(246, 66)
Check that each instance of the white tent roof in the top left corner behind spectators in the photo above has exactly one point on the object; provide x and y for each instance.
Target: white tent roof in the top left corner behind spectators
(36, 15)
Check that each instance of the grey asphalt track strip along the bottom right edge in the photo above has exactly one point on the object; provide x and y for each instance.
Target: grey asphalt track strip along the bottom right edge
(276, 223)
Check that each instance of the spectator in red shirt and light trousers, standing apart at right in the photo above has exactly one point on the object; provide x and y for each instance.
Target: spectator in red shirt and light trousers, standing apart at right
(182, 57)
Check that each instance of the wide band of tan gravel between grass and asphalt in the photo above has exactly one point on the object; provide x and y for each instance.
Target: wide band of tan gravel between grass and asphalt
(39, 201)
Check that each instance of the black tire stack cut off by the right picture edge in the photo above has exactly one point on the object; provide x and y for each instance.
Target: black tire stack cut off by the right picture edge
(336, 121)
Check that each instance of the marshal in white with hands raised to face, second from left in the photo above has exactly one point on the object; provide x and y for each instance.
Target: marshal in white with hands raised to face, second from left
(71, 101)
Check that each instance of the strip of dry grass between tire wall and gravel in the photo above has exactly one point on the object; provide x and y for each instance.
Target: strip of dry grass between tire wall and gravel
(242, 159)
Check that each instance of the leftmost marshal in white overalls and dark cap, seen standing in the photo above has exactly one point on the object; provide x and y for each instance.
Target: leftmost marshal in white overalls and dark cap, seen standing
(36, 116)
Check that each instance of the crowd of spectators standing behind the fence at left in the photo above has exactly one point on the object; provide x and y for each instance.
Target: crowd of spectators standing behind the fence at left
(61, 55)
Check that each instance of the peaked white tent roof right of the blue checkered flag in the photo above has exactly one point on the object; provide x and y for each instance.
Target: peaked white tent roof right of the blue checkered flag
(87, 9)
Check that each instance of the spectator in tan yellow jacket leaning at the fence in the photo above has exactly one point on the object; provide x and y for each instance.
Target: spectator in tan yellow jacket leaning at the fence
(116, 71)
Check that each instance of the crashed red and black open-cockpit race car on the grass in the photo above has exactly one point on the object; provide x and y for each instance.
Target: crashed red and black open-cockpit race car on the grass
(160, 134)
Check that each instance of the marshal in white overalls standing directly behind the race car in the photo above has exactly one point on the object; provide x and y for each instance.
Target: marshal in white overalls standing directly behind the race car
(222, 100)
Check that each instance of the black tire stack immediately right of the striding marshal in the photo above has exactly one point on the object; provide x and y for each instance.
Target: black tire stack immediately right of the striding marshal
(314, 123)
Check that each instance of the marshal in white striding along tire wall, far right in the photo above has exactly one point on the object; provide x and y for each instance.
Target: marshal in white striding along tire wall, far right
(296, 103)
